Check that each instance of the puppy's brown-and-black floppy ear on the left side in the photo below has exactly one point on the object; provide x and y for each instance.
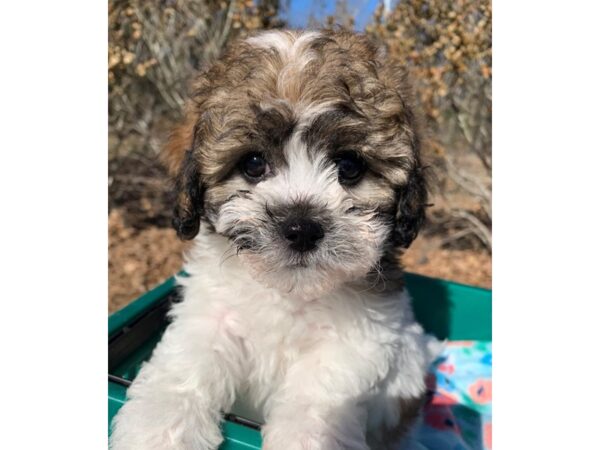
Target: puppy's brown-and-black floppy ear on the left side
(181, 161)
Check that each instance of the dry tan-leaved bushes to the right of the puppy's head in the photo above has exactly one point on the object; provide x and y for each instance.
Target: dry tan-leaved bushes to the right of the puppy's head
(448, 47)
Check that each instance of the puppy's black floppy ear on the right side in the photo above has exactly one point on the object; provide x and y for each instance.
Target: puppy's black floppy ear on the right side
(410, 211)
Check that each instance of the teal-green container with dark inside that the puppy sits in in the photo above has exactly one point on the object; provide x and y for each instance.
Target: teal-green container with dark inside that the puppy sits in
(448, 310)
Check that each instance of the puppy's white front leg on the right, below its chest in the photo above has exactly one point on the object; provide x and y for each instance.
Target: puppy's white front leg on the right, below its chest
(321, 403)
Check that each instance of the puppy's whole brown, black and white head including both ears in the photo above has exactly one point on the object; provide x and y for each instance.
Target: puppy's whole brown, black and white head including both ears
(302, 150)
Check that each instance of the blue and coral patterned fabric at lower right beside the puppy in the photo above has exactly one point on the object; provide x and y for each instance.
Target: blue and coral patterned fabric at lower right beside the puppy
(458, 415)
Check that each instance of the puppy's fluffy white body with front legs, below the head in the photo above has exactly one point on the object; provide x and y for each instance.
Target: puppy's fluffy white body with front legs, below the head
(323, 372)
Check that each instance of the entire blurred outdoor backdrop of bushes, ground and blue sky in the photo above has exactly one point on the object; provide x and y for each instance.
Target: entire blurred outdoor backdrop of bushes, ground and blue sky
(155, 47)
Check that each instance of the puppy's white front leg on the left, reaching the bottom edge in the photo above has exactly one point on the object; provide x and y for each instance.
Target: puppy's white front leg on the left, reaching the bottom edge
(176, 400)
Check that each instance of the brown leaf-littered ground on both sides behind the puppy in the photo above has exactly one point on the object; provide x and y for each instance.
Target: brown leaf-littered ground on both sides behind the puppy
(140, 258)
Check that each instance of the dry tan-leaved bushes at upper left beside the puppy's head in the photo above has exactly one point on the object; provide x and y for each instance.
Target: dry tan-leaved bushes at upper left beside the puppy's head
(154, 48)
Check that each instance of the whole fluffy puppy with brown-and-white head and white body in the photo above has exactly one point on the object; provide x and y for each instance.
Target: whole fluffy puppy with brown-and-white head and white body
(298, 177)
